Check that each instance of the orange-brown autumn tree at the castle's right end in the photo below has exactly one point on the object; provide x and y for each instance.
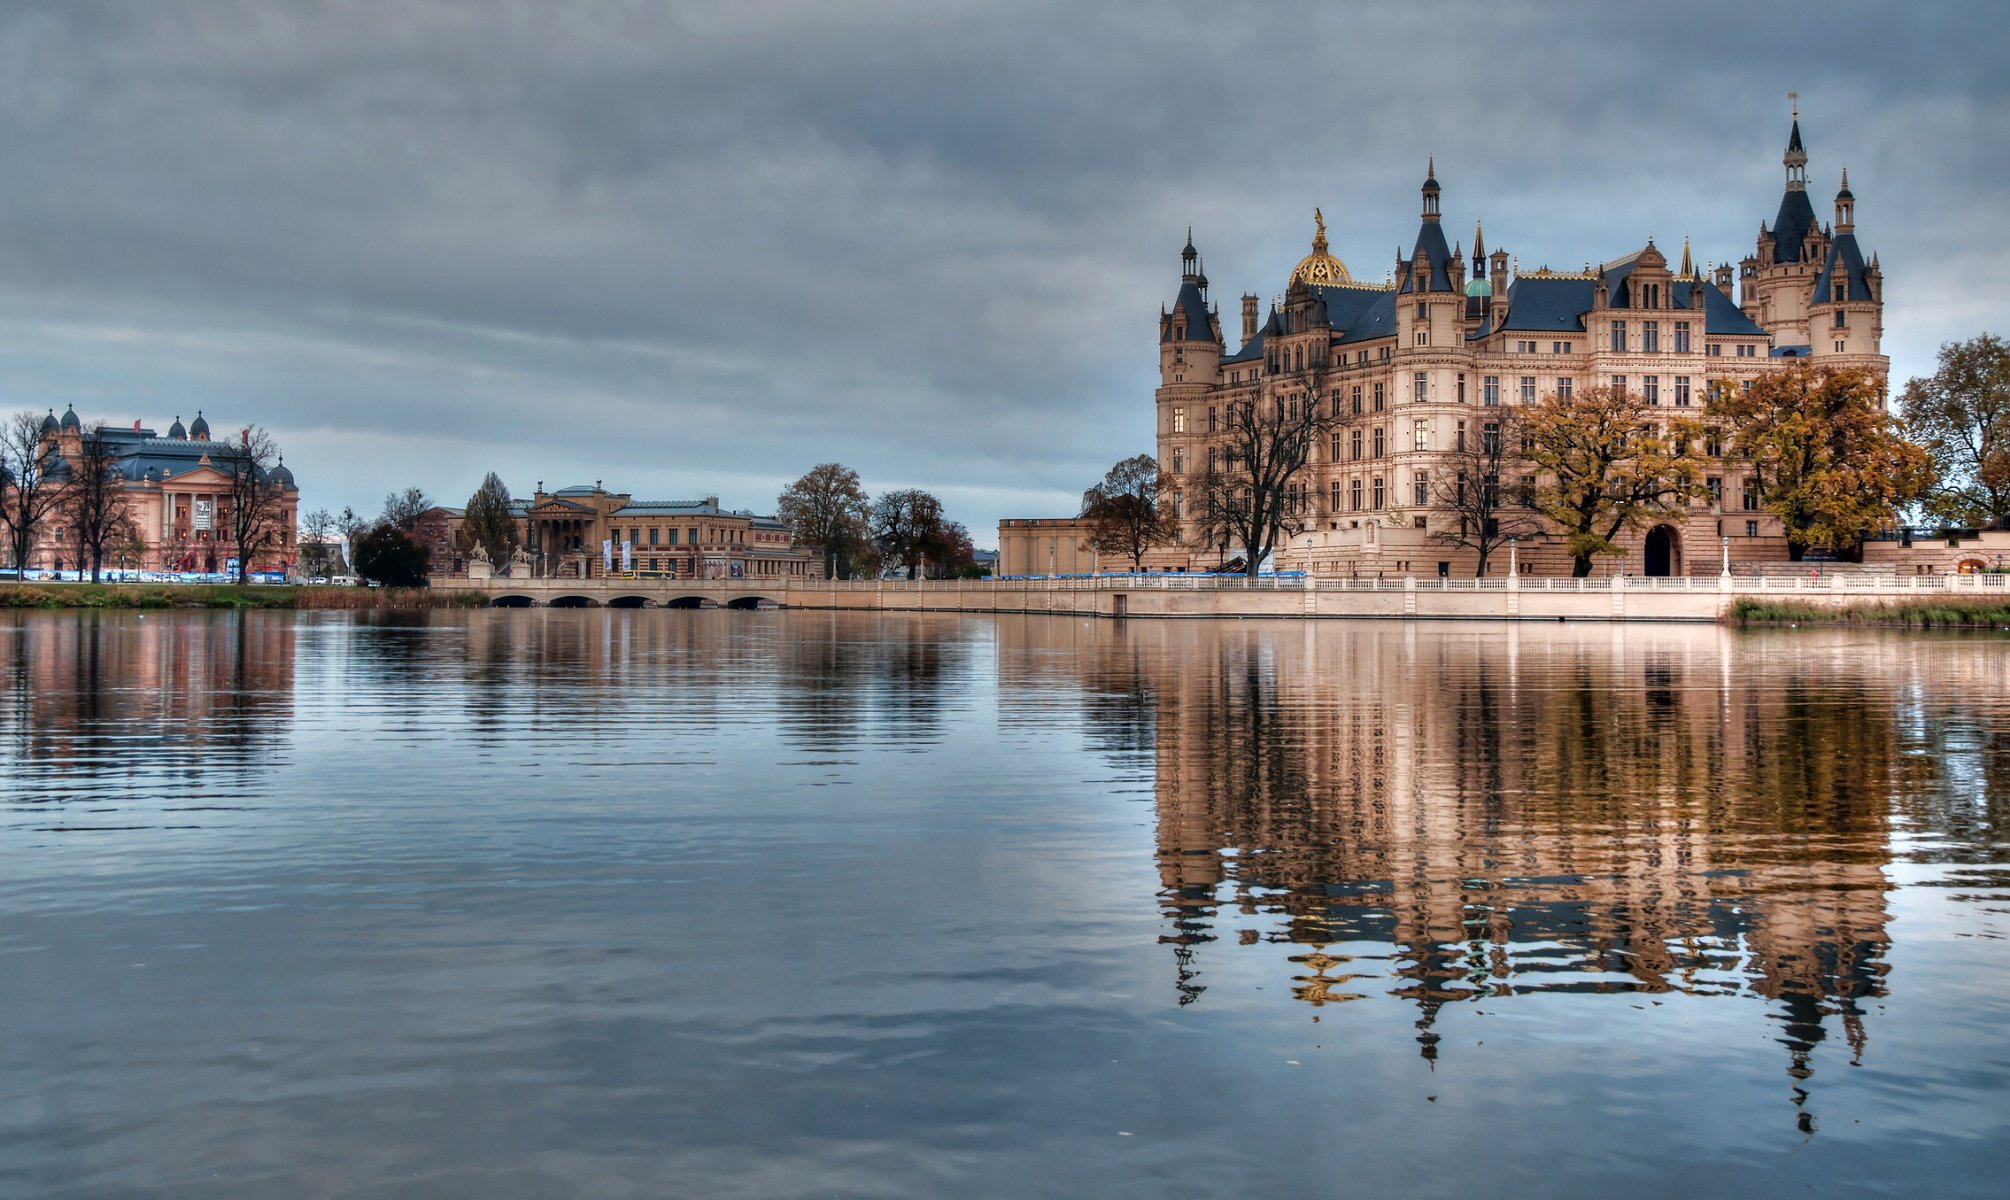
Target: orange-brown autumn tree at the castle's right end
(1826, 455)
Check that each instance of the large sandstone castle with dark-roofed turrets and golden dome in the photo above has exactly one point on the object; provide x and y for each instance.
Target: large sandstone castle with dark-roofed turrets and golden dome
(1422, 365)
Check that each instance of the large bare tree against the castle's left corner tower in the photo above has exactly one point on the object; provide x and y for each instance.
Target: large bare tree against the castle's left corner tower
(1253, 491)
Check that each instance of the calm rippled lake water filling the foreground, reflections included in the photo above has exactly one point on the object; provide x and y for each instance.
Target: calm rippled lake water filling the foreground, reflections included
(660, 904)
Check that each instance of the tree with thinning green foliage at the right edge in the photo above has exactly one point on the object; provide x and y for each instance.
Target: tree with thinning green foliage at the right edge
(1961, 417)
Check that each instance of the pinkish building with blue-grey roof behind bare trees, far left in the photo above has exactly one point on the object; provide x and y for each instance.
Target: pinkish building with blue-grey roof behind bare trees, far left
(178, 504)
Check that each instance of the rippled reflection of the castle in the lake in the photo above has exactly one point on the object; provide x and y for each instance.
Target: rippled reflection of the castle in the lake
(1482, 813)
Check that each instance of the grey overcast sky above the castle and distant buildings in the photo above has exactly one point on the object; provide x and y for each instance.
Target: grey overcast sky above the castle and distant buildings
(698, 248)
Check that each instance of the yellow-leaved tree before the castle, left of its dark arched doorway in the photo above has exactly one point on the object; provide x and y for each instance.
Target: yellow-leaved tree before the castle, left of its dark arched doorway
(1605, 467)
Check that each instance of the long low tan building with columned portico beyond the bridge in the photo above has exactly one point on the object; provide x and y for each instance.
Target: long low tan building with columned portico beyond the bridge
(588, 532)
